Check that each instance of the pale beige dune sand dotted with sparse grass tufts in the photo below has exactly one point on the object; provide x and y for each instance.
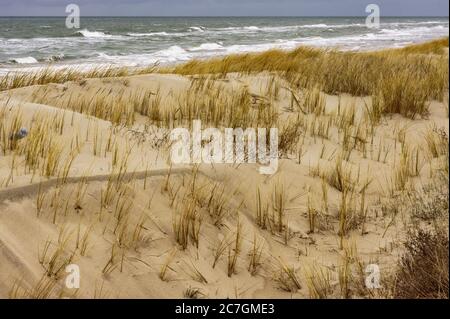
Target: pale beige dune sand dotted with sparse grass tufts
(113, 203)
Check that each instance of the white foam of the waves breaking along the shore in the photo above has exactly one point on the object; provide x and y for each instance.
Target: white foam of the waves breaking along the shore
(390, 36)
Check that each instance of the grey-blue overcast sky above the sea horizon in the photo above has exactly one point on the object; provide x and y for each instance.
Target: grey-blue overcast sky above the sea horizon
(224, 7)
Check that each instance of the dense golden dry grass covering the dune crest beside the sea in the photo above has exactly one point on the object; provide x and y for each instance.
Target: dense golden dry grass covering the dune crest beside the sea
(384, 74)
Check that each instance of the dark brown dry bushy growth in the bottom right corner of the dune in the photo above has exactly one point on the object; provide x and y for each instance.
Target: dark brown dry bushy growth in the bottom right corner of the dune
(422, 270)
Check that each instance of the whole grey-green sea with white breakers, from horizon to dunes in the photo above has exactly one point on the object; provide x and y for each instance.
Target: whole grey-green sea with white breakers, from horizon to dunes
(33, 42)
